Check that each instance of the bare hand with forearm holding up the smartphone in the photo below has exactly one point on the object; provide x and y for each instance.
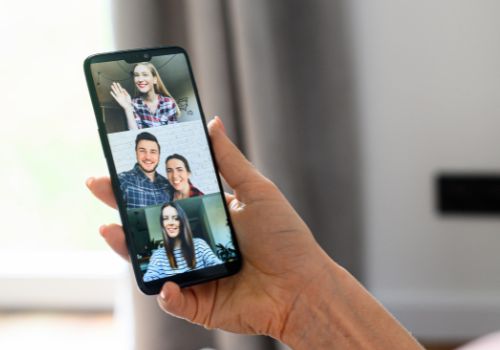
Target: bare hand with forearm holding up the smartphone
(288, 287)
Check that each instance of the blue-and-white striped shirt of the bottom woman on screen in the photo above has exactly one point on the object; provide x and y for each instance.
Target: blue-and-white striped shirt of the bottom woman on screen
(159, 266)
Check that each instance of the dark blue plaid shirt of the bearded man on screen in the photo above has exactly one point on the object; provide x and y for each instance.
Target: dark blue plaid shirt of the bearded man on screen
(138, 191)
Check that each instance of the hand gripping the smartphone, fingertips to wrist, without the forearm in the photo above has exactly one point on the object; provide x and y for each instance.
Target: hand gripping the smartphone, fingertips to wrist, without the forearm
(281, 257)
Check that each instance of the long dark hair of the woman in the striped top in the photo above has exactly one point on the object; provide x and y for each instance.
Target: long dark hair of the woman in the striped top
(185, 236)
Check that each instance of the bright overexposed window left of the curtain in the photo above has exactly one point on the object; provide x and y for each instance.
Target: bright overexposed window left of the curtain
(50, 146)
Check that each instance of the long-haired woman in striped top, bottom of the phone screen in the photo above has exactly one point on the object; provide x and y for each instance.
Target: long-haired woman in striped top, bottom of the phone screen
(182, 251)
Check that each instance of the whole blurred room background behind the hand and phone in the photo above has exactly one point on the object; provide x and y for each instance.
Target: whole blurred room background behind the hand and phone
(353, 108)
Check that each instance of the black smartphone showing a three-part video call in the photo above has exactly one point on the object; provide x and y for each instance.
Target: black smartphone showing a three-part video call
(164, 177)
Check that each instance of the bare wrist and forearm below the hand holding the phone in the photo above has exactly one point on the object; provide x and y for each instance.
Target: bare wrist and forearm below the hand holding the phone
(336, 311)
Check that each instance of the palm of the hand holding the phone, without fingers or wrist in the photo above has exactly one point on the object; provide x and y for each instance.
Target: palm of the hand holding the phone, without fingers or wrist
(270, 247)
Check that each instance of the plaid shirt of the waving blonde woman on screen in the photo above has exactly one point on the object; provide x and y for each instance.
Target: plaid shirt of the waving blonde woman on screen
(166, 112)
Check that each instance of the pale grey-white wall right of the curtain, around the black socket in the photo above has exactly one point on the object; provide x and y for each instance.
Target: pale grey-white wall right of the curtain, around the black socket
(428, 80)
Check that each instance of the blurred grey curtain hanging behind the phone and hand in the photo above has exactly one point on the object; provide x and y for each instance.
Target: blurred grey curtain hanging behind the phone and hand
(279, 74)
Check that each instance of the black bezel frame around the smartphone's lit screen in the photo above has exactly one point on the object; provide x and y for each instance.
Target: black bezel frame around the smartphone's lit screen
(183, 279)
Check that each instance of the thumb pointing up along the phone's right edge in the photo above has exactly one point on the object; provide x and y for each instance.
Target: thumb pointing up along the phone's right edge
(233, 165)
